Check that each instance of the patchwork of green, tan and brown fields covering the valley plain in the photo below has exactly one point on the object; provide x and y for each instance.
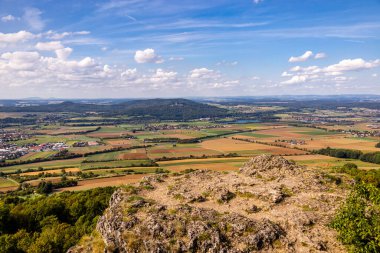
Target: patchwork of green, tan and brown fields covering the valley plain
(219, 148)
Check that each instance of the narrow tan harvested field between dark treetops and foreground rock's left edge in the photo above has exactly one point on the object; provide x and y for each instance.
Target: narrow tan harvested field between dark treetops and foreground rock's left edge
(103, 182)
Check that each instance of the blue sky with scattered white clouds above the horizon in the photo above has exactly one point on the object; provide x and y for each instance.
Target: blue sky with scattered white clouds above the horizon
(187, 48)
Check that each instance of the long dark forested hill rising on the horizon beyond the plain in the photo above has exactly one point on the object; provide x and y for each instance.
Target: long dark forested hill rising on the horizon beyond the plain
(157, 108)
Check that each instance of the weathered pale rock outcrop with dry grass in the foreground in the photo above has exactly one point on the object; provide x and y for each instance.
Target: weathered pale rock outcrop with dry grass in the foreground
(272, 205)
